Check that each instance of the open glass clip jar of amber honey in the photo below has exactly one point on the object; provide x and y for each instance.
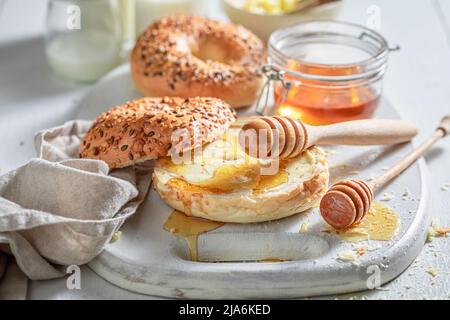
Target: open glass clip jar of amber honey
(326, 71)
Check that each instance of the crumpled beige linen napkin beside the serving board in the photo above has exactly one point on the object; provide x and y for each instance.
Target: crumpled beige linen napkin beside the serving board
(58, 210)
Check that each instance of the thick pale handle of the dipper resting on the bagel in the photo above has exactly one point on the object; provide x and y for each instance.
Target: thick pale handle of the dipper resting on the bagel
(362, 132)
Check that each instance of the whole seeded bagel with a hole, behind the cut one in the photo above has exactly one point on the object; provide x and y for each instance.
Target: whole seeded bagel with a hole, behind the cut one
(187, 56)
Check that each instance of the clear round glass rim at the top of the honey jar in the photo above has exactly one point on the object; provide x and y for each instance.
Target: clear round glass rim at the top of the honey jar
(311, 49)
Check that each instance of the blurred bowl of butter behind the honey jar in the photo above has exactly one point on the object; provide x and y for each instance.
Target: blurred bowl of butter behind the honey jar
(265, 16)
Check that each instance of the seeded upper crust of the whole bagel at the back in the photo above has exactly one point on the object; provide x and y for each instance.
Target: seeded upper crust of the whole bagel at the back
(162, 50)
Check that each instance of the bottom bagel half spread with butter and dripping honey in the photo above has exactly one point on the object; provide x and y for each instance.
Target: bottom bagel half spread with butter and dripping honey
(224, 184)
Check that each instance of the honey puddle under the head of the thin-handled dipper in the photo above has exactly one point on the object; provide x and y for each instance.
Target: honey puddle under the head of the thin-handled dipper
(380, 223)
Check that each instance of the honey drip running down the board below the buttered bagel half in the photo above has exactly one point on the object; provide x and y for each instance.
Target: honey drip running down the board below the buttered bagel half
(189, 228)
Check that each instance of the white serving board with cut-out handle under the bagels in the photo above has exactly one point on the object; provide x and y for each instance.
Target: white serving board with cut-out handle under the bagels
(149, 260)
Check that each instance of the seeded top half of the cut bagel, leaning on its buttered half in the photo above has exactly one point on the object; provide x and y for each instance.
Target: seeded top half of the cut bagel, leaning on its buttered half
(143, 129)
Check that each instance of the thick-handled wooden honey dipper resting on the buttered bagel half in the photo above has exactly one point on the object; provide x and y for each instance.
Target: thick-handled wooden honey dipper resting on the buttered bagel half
(286, 138)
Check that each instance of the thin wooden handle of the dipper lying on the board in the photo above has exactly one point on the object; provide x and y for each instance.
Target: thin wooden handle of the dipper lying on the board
(441, 131)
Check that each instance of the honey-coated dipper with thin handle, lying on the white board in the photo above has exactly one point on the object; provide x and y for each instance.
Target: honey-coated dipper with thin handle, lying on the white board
(348, 201)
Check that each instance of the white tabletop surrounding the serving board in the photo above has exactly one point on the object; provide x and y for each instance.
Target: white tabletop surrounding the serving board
(417, 83)
